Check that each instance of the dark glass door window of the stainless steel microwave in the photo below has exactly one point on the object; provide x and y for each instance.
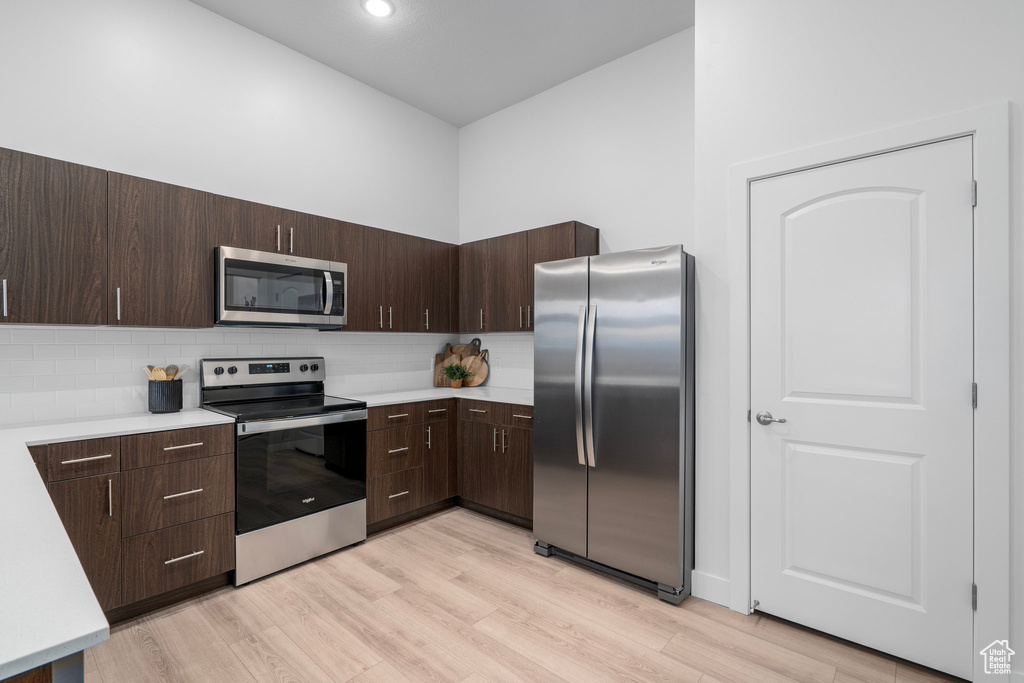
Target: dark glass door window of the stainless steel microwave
(270, 288)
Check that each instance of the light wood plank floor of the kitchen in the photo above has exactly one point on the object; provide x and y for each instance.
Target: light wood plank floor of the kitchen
(461, 597)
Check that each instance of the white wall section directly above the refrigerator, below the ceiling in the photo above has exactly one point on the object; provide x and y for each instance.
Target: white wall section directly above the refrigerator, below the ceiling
(613, 148)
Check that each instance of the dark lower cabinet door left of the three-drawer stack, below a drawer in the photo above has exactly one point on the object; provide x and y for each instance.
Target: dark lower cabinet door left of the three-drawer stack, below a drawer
(91, 510)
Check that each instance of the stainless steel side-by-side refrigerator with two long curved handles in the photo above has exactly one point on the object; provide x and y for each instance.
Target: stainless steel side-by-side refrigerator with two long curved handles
(614, 415)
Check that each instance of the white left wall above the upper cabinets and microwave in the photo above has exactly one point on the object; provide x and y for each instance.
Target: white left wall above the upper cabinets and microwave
(168, 91)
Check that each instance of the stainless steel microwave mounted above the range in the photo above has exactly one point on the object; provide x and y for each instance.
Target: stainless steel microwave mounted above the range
(263, 289)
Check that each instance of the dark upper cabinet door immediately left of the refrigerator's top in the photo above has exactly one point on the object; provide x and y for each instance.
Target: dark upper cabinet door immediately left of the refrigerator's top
(509, 295)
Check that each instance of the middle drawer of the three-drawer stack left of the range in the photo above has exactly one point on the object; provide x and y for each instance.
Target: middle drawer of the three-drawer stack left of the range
(169, 495)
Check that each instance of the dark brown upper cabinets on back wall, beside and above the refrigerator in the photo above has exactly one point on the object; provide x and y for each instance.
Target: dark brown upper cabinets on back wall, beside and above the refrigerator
(497, 275)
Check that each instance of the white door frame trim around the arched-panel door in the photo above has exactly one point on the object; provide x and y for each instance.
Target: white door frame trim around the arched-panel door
(990, 126)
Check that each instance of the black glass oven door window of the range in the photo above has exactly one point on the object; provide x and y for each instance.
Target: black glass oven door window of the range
(287, 475)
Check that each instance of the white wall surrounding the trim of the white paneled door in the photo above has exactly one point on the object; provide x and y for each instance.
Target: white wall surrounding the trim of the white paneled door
(776, 77)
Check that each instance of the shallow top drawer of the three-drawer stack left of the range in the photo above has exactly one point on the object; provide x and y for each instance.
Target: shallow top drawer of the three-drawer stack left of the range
(177, 446)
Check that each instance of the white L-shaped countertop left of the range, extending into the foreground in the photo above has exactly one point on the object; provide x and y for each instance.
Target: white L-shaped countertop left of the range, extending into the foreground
(48, 608)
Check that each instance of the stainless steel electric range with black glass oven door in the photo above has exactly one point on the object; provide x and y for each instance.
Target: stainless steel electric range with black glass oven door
(301, 461)
